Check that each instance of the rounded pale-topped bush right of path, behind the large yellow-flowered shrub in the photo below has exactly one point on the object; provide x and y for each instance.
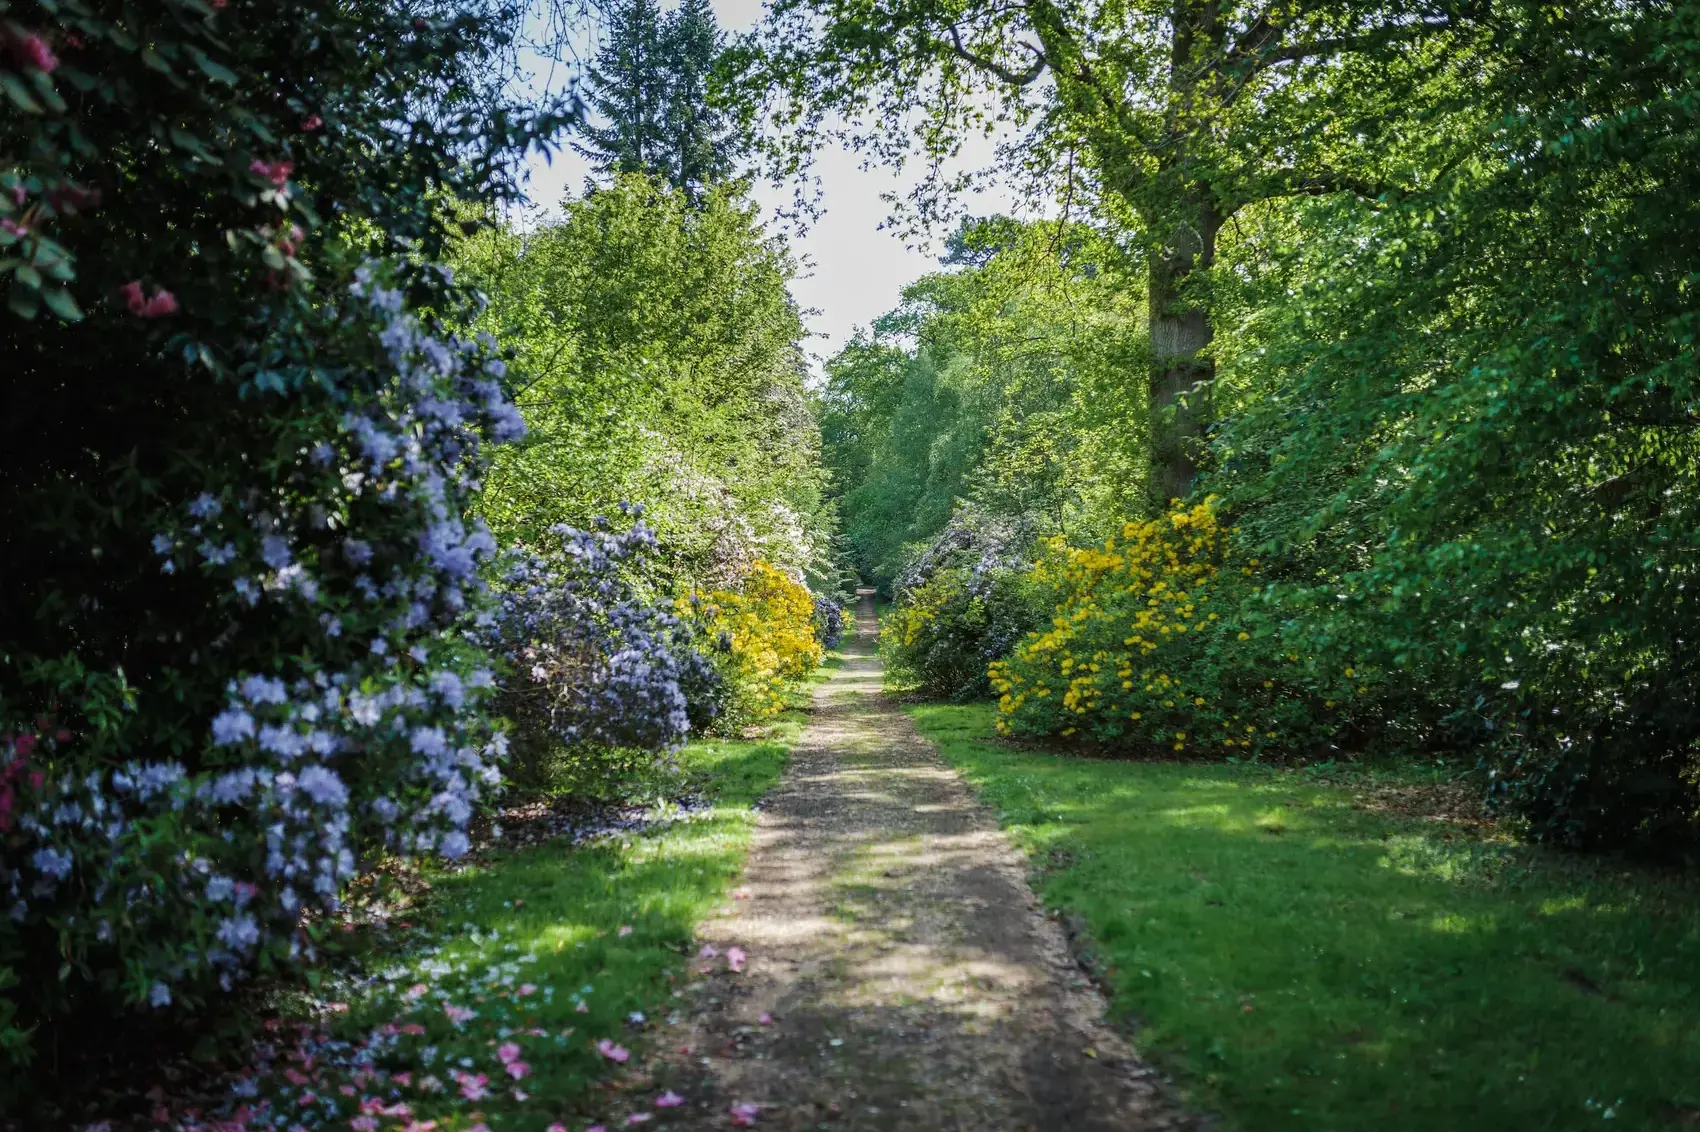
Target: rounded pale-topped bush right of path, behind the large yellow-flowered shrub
(961, 604)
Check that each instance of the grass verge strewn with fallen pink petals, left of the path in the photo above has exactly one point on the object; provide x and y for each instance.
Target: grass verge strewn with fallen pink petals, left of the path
(523, 987)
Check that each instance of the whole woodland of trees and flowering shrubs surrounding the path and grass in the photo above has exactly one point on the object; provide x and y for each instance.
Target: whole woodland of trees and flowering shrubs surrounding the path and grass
(1332, 400)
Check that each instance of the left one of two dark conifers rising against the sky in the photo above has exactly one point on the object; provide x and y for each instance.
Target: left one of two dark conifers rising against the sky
(628, 89)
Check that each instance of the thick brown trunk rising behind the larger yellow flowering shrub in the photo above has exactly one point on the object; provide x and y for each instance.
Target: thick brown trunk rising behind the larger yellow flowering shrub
(1181, 382)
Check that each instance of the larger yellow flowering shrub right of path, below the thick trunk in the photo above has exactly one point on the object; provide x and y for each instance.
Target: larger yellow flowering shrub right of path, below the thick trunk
(1159, 640)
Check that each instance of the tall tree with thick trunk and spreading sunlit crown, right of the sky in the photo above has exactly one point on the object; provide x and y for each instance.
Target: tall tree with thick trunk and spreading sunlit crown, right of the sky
(1172, 115)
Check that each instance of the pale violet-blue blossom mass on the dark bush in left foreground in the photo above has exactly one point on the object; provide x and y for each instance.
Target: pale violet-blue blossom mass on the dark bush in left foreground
(373, 735)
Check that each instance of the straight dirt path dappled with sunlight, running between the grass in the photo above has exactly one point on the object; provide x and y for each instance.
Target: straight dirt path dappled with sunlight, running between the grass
(905, 971)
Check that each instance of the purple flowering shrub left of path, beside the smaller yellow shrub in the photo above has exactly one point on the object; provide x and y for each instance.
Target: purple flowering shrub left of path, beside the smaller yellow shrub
(596, 667)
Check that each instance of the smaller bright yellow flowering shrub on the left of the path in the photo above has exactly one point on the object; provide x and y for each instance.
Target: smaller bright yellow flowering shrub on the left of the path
(766, 637)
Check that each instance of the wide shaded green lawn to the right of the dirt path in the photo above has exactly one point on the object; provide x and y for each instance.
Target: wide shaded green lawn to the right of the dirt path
(1301, 965)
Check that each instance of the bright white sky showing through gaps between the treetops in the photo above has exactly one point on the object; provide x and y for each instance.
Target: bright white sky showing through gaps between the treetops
(856, 268)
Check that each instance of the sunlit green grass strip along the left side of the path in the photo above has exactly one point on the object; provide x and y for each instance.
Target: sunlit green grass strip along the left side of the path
(550, 919)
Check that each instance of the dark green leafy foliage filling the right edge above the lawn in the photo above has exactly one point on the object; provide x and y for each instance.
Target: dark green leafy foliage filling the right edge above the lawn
(1468, 427)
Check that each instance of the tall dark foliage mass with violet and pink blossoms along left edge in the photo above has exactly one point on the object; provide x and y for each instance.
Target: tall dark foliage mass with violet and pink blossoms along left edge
(237, 579)
